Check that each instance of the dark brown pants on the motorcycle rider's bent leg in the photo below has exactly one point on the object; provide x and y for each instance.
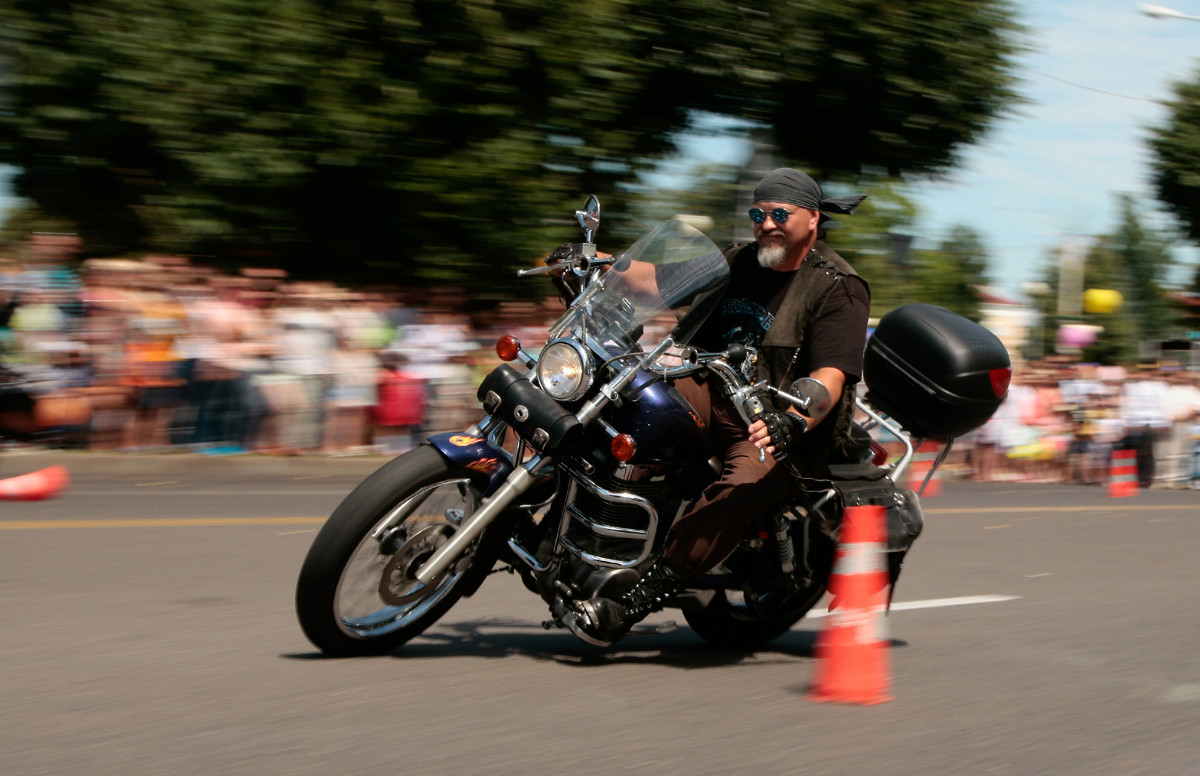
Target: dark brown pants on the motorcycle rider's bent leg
(712, 530)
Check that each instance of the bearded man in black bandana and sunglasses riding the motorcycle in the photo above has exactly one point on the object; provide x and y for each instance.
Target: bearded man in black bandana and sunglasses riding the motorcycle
(801, 310)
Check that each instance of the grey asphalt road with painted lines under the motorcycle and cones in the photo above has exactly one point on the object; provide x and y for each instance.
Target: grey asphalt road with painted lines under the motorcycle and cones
(147, 628)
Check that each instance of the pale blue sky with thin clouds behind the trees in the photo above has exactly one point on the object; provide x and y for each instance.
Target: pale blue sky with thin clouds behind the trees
(1095, 80)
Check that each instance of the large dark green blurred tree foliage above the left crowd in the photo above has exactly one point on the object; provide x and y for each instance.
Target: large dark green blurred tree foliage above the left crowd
(434, 141)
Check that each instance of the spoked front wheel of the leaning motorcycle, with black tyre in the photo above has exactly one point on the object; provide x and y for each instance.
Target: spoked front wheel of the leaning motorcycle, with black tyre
(357, 594)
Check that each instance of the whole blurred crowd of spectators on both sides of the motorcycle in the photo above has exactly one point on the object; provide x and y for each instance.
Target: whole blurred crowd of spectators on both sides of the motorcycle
(160, 353)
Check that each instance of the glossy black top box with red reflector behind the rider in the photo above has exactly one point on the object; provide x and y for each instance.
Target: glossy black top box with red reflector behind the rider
(935, 372)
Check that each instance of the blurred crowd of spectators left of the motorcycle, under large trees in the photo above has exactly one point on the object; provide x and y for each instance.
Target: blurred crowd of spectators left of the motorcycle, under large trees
(161, 353)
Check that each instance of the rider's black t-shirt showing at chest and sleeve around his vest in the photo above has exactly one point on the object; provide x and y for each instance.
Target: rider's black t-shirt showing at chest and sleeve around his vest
(836, 338)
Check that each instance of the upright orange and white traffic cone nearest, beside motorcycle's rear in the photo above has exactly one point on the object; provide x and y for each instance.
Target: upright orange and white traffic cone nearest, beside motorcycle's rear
(853, 652)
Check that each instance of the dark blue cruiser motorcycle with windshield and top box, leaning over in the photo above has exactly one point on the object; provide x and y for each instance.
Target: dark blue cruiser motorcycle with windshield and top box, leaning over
(587, 454)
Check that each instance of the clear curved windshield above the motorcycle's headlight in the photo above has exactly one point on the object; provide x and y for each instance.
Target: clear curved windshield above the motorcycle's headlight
(689, 276)
